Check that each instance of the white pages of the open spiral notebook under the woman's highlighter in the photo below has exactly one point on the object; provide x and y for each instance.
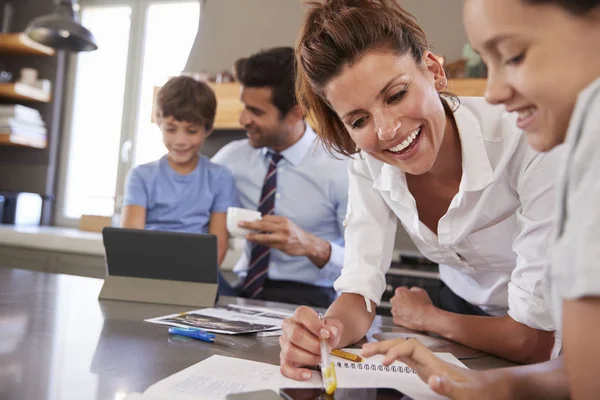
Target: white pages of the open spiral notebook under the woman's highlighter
(218, 376)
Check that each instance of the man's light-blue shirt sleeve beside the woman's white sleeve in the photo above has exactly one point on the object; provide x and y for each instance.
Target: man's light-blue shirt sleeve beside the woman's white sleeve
(336, 258)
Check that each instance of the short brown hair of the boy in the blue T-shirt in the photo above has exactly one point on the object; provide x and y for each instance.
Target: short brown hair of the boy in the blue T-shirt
(187, 99)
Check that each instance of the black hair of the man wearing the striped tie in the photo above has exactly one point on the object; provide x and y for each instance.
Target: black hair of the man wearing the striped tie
(275, 69)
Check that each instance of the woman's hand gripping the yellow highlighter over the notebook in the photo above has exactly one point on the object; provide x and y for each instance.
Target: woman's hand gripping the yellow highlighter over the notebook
(300, 341)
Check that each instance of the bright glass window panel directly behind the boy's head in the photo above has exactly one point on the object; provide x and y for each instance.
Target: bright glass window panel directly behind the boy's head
(170, 33)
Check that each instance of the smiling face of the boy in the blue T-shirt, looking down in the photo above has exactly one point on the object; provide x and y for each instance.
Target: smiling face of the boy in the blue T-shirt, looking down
(183, 139)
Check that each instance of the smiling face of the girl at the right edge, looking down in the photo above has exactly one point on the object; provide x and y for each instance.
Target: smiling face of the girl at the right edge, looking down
(539, 58)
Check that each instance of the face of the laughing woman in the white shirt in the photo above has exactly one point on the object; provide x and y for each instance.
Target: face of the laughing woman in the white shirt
(391, 108)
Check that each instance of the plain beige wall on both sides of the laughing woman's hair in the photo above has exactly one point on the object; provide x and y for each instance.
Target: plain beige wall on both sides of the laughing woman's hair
(230, 29)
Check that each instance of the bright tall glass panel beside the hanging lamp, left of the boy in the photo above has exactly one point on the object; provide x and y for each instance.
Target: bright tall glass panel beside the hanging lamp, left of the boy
(93, 153)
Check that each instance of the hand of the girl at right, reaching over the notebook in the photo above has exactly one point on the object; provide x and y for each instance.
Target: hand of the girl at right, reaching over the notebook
(443, 378)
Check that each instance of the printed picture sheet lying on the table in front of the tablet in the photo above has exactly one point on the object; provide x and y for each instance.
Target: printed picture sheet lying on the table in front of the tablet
(224, 319)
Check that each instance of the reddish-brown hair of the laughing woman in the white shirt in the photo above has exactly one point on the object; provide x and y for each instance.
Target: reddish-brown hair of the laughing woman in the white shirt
(337, 33)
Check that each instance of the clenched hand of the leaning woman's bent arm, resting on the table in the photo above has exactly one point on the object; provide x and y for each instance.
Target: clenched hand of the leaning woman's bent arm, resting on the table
(412, 308)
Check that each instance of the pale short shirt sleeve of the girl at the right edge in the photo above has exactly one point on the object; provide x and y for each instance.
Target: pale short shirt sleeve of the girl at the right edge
(580, 236)
